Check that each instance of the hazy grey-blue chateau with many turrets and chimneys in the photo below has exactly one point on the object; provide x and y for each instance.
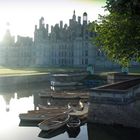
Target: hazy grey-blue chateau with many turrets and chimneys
(65, 45)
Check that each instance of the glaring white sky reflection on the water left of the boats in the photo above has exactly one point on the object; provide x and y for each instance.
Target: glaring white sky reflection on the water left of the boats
(16, 106)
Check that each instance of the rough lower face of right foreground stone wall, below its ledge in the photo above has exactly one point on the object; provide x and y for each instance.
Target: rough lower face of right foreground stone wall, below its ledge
(126, 115)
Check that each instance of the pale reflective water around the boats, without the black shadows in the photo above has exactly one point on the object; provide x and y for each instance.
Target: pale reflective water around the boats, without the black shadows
(20, 99)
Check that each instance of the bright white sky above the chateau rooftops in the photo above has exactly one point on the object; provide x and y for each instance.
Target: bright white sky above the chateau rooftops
(23, 15)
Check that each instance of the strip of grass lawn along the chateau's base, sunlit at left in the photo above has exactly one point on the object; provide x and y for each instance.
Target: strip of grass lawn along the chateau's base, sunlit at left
(30, 71)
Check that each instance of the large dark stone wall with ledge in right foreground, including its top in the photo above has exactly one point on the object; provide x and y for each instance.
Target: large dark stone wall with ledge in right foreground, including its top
(117, 103)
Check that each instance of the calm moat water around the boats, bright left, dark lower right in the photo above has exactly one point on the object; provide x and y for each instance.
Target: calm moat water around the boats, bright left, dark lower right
(20, 99)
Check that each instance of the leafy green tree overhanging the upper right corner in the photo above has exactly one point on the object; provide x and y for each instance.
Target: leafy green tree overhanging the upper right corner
(119, 31)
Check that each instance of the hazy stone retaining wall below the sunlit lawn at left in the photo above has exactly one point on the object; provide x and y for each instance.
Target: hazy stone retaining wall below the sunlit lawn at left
(23, 79)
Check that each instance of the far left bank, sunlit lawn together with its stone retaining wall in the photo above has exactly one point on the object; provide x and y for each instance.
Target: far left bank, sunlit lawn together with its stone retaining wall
(15, 76)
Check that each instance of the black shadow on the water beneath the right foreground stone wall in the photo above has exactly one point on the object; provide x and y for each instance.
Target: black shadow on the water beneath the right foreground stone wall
(108, 132)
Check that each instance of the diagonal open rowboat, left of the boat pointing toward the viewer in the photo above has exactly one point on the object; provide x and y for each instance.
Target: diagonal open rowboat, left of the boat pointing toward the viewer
(54, 122)
